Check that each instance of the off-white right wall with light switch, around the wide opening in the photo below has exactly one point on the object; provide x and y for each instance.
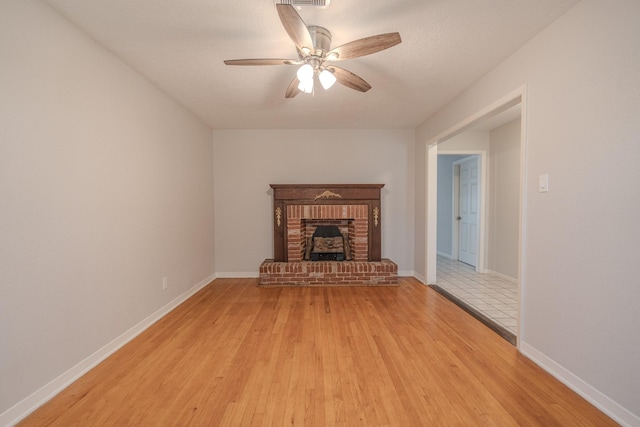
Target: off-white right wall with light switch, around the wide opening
(580, 314)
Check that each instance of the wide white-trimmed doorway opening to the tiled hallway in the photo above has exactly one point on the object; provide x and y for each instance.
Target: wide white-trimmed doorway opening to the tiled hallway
(488, 284)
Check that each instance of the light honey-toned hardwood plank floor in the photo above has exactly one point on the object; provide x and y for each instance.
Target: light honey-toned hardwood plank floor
(238, 354)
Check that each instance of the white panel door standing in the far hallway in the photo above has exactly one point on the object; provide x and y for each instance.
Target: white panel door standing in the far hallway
(468, 211)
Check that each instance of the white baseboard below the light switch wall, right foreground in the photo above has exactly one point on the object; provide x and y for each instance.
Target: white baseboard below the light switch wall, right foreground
(613, 409)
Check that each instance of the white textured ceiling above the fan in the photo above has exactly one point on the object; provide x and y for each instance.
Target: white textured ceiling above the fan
(180, 46)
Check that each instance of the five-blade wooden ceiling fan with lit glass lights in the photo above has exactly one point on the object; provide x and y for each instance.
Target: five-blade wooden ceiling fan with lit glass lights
(315, 55)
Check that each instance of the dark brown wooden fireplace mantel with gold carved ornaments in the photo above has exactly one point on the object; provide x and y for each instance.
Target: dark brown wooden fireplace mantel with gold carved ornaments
(288, 196)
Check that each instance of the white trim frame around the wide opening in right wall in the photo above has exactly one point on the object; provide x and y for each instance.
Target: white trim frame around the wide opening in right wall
(518, 96)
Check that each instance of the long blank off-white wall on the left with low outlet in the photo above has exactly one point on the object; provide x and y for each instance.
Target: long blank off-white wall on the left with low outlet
(106, 187)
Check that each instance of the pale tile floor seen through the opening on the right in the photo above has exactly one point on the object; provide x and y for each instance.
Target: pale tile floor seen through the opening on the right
(492, 296)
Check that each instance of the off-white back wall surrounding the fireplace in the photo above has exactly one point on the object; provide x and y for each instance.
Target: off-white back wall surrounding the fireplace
(247, 161)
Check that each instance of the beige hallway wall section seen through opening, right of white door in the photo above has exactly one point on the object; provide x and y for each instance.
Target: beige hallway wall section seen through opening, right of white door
(504, 199)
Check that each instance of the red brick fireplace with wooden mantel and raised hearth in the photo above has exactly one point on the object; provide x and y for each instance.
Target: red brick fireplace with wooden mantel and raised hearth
(354, 209)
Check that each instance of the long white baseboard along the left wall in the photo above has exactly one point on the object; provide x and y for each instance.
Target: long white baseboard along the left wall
(32, 402)
